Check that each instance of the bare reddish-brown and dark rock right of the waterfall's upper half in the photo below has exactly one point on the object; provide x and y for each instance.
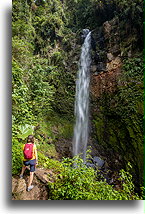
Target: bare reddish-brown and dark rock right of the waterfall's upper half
(105, 73)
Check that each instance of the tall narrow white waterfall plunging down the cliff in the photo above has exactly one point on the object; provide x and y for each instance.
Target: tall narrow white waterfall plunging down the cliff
(82, 99)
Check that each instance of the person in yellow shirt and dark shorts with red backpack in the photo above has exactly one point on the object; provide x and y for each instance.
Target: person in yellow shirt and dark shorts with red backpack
(30, 159)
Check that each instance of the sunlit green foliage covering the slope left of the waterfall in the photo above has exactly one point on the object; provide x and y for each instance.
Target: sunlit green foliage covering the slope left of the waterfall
(42, 86)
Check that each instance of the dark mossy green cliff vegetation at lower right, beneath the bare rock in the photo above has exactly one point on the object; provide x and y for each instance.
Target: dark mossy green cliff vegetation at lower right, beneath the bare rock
(121, 117)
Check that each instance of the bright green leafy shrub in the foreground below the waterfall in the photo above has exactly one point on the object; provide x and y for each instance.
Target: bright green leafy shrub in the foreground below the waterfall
(78, 182)
